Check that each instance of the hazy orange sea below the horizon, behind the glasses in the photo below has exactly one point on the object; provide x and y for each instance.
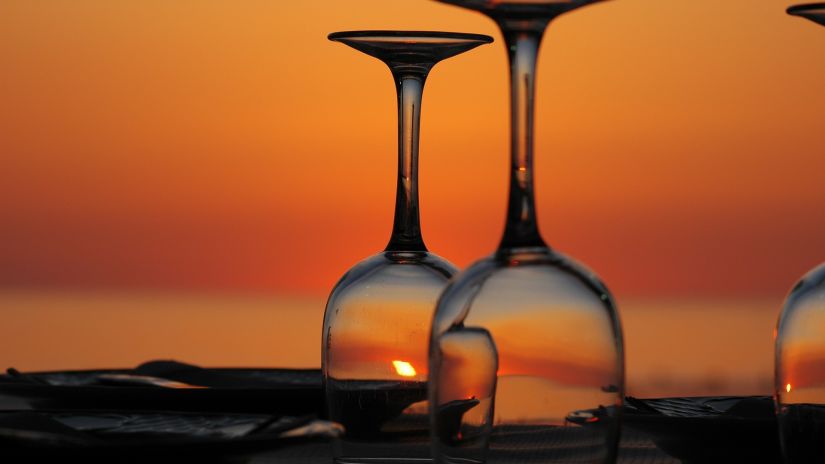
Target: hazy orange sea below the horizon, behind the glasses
(674, 347)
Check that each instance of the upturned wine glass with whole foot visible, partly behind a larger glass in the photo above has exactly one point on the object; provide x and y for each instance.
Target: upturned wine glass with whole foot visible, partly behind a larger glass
(377, 319)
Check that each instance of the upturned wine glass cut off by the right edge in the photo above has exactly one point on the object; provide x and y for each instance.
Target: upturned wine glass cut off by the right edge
(800, 349)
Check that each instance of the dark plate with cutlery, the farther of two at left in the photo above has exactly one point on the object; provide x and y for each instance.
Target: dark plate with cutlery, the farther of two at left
(169, 385)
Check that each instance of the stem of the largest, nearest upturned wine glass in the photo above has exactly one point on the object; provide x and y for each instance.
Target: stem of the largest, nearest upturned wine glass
(521, 229)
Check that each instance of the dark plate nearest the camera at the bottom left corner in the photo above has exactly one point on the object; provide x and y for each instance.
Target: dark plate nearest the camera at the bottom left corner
(148, 436)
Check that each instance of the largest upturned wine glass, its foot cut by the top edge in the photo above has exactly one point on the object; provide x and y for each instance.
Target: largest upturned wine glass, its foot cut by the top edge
(526, 328)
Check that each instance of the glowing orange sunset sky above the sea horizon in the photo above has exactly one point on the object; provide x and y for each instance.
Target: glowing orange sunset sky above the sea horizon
(228, 145)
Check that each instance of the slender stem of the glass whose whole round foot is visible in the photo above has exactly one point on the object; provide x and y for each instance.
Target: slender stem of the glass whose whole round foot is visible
(406, 231)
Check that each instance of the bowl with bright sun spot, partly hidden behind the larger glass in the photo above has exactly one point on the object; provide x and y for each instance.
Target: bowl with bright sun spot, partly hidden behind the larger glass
(376, 331)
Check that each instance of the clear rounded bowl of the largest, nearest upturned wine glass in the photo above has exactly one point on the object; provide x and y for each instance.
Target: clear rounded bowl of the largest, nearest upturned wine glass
(557, 340)
